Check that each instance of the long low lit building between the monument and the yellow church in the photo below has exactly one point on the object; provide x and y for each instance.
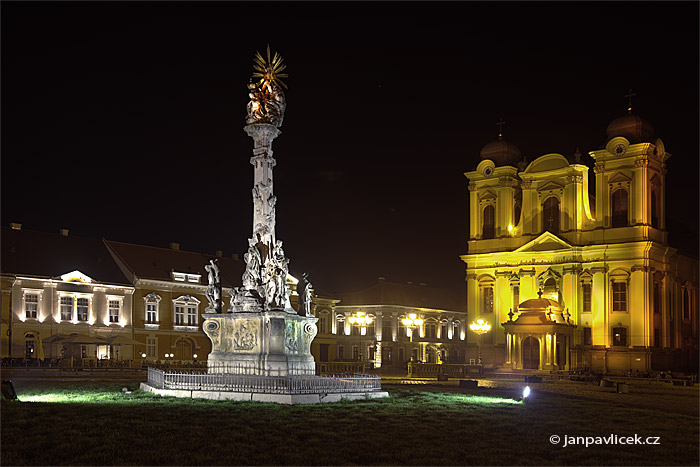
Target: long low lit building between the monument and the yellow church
(386, 343)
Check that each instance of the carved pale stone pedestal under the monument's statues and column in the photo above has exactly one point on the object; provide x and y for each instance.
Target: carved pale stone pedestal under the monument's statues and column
(274, 343)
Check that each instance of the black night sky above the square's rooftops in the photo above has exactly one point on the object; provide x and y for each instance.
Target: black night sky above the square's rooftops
(125, 119)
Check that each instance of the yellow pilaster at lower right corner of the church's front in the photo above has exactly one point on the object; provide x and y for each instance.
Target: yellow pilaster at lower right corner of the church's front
(639, 307)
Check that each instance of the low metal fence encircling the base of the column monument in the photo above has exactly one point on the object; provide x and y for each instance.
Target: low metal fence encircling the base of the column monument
(202, 380)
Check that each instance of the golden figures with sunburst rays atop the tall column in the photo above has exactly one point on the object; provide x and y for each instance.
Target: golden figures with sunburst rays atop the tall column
(267, 102)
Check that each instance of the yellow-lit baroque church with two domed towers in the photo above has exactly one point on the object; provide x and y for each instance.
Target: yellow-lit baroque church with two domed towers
(571, 280)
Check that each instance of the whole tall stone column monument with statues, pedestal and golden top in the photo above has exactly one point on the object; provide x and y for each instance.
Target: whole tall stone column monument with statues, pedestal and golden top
(261, 333)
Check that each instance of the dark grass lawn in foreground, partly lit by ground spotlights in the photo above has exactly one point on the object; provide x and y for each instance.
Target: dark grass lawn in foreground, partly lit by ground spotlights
(74, 423)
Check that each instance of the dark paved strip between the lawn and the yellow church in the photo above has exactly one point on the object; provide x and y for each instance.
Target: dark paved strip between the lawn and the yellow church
(643, 394)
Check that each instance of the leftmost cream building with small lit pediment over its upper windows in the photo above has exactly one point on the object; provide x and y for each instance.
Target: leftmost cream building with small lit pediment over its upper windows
(62, 285)
